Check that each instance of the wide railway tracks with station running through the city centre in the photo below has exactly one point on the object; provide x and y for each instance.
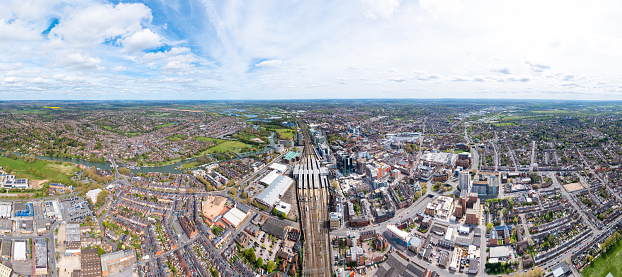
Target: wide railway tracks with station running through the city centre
(313, 200)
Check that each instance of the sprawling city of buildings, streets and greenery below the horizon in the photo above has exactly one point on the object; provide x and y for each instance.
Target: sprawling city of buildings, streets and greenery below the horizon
(310, 188)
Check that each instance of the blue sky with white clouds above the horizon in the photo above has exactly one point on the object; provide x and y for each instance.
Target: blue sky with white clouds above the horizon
(288, 49)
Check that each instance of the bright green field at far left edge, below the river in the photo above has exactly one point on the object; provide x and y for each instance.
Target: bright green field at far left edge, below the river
(48, 170)
